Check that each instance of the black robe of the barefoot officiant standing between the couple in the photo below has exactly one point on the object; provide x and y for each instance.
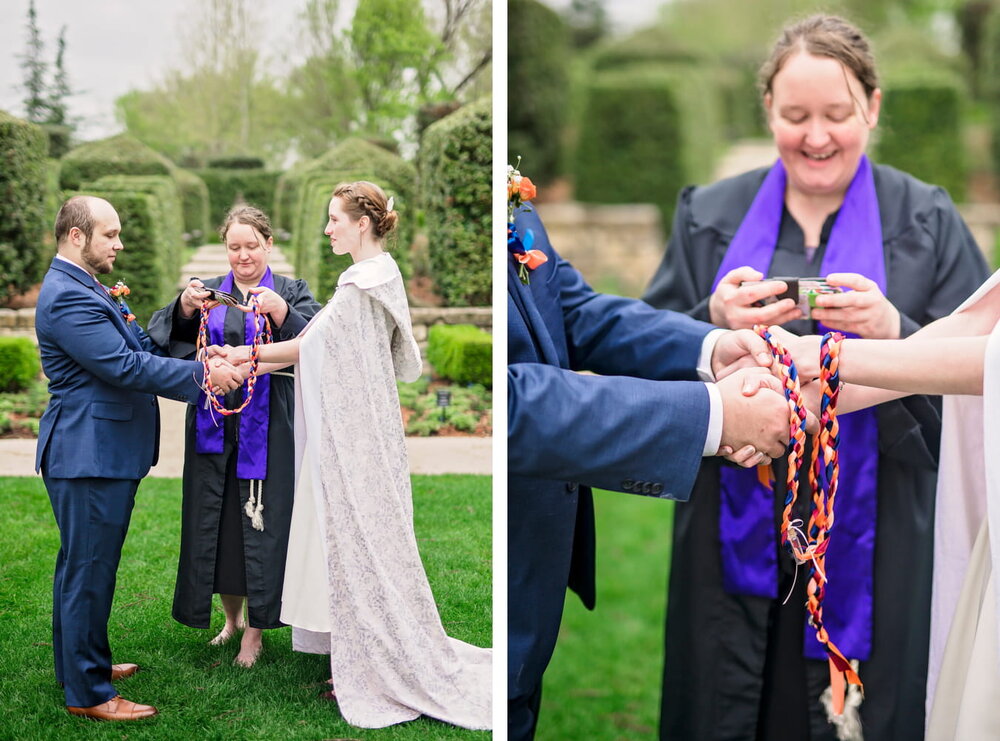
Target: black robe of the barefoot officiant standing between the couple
(221, 550)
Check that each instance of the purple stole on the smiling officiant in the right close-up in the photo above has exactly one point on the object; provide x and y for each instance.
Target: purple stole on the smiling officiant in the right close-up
(746, 525)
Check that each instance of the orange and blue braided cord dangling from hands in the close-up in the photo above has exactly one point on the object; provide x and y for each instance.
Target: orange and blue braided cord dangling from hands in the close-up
(823, 478)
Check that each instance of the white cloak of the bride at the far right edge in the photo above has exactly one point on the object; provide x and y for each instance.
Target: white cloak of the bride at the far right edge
(963, 680)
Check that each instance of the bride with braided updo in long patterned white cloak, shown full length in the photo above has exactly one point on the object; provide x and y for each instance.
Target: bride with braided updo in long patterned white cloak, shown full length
(355, 587)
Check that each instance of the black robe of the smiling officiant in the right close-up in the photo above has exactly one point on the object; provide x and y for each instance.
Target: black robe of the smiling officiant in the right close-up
(734, 667)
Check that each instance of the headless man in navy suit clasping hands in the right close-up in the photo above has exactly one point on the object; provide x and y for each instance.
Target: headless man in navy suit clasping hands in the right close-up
(641, 426)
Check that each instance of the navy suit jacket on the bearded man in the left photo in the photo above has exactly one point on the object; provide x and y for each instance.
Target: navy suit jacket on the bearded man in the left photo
(102, 420)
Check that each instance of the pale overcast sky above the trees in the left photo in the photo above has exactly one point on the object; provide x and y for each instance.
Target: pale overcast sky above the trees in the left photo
(113, 46)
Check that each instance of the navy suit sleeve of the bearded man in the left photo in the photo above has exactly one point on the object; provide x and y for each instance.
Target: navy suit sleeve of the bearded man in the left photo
(92, 341)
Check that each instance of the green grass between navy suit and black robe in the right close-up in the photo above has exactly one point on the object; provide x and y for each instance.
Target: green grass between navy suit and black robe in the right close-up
(604, 679)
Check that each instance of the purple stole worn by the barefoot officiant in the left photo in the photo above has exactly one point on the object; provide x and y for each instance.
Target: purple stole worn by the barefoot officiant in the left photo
(251, 456)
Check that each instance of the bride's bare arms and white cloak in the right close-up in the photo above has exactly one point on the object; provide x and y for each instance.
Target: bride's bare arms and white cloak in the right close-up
(959, 356)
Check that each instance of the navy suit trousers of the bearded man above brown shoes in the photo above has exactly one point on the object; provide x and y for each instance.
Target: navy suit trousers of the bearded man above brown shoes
(93, 516)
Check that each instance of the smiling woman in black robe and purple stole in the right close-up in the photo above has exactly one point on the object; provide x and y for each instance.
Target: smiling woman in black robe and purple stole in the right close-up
(736, 663)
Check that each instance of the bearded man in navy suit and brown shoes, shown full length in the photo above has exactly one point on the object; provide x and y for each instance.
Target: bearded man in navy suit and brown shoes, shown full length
(98, 437)
